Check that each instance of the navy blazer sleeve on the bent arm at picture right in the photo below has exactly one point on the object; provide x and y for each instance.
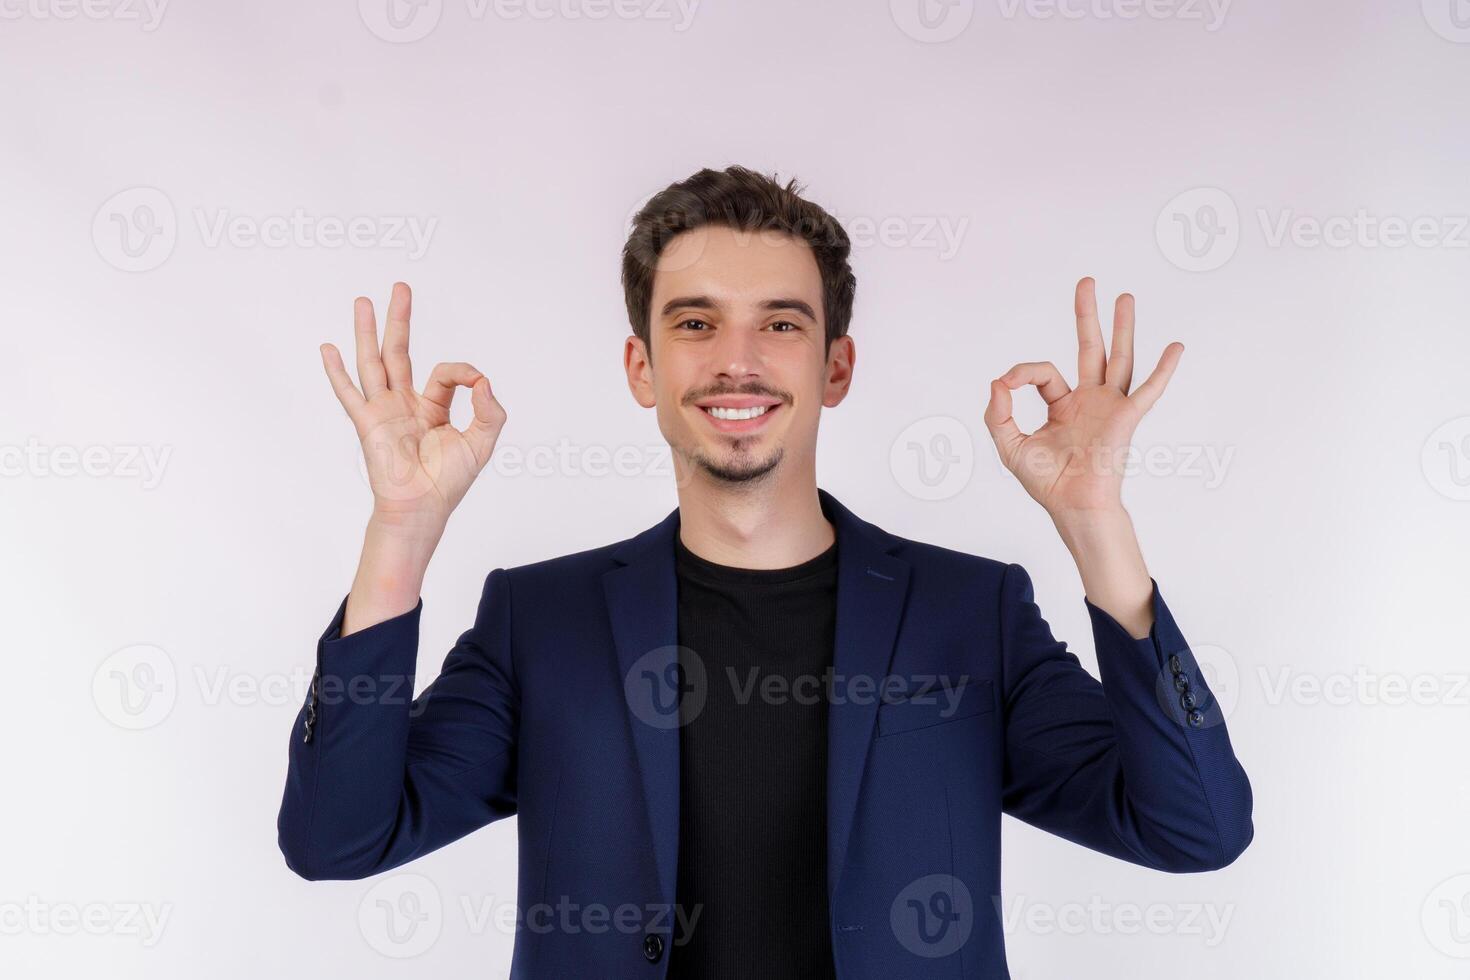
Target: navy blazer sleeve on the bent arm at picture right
(1139, 766)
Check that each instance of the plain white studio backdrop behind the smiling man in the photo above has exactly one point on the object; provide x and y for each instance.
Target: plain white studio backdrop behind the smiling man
(1318, 563)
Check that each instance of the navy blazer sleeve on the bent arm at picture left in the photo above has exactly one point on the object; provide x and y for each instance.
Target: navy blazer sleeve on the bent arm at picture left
(379, 778)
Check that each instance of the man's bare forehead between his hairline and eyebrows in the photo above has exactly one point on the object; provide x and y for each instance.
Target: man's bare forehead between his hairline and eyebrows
(737, 267)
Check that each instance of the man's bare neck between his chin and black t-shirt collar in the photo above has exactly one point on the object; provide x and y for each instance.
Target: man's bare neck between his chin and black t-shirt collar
(771, 525)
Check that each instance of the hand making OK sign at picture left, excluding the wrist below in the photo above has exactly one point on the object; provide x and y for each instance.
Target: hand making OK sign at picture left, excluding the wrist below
(420, 466)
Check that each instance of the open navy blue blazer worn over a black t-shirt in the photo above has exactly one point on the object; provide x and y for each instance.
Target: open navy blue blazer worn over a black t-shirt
(551, 709)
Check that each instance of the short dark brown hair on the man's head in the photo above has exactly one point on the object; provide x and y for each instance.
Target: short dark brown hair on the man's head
(745, 201)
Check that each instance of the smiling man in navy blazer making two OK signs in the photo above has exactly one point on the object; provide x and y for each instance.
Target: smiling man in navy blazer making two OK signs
(764, 738)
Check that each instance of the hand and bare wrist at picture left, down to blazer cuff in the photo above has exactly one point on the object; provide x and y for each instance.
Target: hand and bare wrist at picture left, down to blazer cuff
(420, 466)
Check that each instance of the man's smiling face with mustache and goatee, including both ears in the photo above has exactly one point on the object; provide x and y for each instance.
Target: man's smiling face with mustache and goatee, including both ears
(739, 372)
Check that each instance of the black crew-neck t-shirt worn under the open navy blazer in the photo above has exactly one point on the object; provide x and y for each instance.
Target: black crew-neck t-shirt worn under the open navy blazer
(753, 771)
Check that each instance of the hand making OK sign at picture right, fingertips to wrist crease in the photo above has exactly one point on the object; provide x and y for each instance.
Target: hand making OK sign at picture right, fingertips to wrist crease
(1074, 464)
